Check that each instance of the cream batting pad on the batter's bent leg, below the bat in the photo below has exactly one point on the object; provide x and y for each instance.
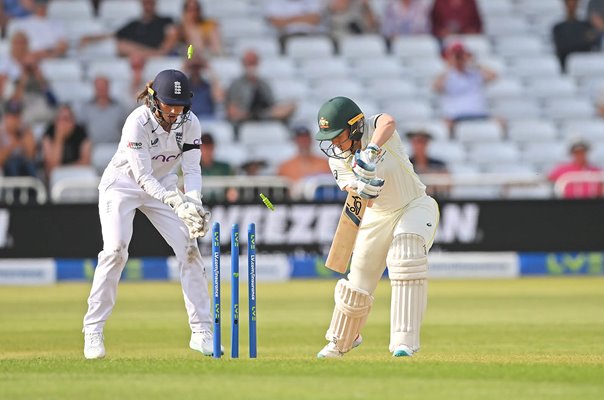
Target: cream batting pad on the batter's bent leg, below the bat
(349, 315)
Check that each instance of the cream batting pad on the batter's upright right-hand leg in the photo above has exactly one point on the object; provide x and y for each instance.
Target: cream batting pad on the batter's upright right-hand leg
(408, 269)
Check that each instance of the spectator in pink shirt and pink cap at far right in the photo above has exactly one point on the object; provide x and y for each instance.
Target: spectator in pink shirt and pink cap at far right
(579, 163)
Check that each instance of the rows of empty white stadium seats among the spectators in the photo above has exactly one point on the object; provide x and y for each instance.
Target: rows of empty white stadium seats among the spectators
(540, 106)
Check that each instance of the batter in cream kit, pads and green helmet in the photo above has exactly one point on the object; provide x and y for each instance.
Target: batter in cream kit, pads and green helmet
(367, 156)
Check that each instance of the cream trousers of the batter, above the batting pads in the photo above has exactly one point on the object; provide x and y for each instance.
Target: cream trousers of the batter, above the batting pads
(375, 237)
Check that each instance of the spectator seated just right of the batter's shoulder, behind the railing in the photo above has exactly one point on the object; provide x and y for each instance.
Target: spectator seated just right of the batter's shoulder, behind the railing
(423, 163)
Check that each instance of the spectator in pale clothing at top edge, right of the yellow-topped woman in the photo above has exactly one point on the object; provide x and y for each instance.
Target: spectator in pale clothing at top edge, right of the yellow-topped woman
(294, 18)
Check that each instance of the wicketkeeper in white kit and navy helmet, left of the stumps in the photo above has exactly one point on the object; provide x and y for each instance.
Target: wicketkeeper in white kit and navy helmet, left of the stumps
(156, 137)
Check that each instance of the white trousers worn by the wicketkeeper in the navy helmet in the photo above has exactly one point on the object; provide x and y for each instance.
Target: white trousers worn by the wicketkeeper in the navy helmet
(117, 207)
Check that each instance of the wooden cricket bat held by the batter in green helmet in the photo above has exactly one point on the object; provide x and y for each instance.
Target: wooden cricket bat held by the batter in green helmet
(346, 233)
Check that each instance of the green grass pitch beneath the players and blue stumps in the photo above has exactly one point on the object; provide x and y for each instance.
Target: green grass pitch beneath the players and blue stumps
(540, 338)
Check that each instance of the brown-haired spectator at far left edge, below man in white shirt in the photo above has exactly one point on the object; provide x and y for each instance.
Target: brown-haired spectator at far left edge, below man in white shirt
(27, 83)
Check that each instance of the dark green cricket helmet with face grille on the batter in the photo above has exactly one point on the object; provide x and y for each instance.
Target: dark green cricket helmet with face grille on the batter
(335, 116)
